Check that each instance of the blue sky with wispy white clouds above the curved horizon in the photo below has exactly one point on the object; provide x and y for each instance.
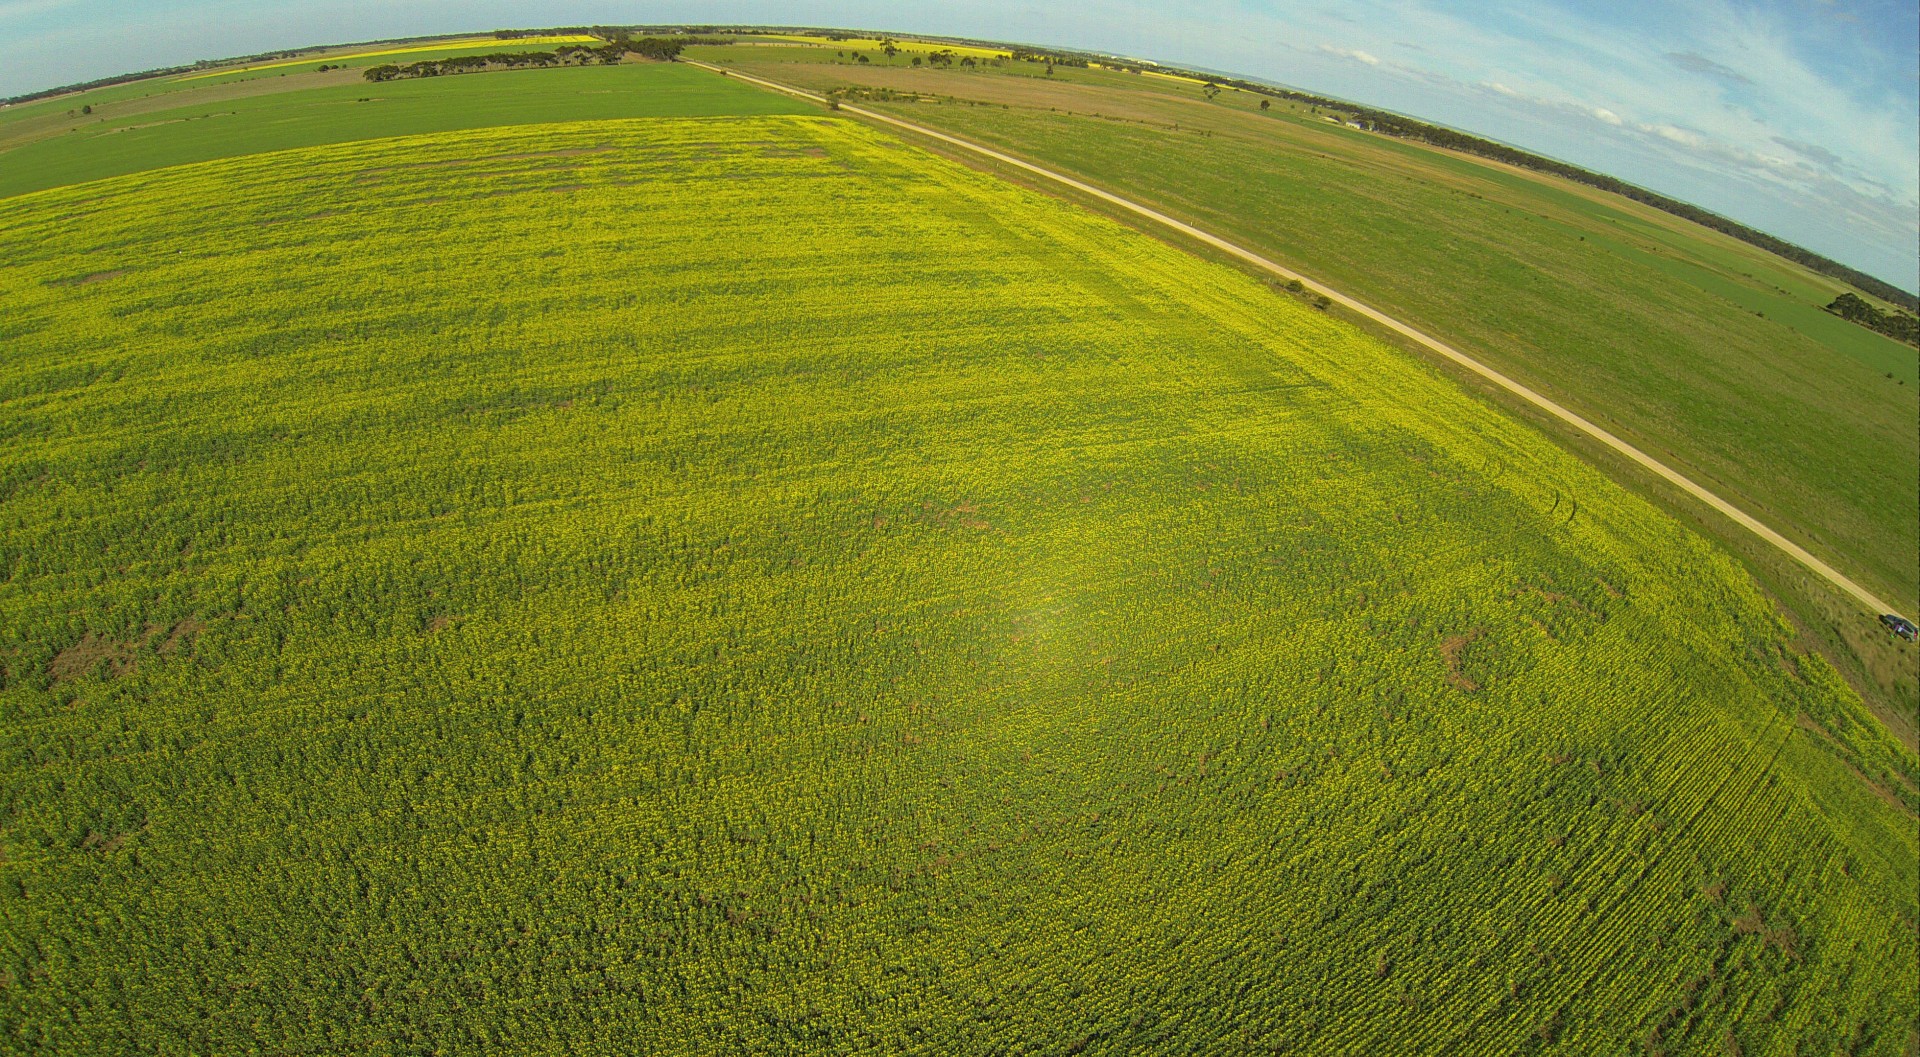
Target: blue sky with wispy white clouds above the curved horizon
(1796, 116)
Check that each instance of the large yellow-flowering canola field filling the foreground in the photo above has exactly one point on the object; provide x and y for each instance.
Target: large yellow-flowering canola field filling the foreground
(746, 586)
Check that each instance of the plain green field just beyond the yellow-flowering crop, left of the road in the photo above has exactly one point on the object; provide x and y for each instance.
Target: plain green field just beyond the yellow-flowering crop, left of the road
(260, 118)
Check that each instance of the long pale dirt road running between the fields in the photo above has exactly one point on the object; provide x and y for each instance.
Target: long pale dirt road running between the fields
(1426, 341)
